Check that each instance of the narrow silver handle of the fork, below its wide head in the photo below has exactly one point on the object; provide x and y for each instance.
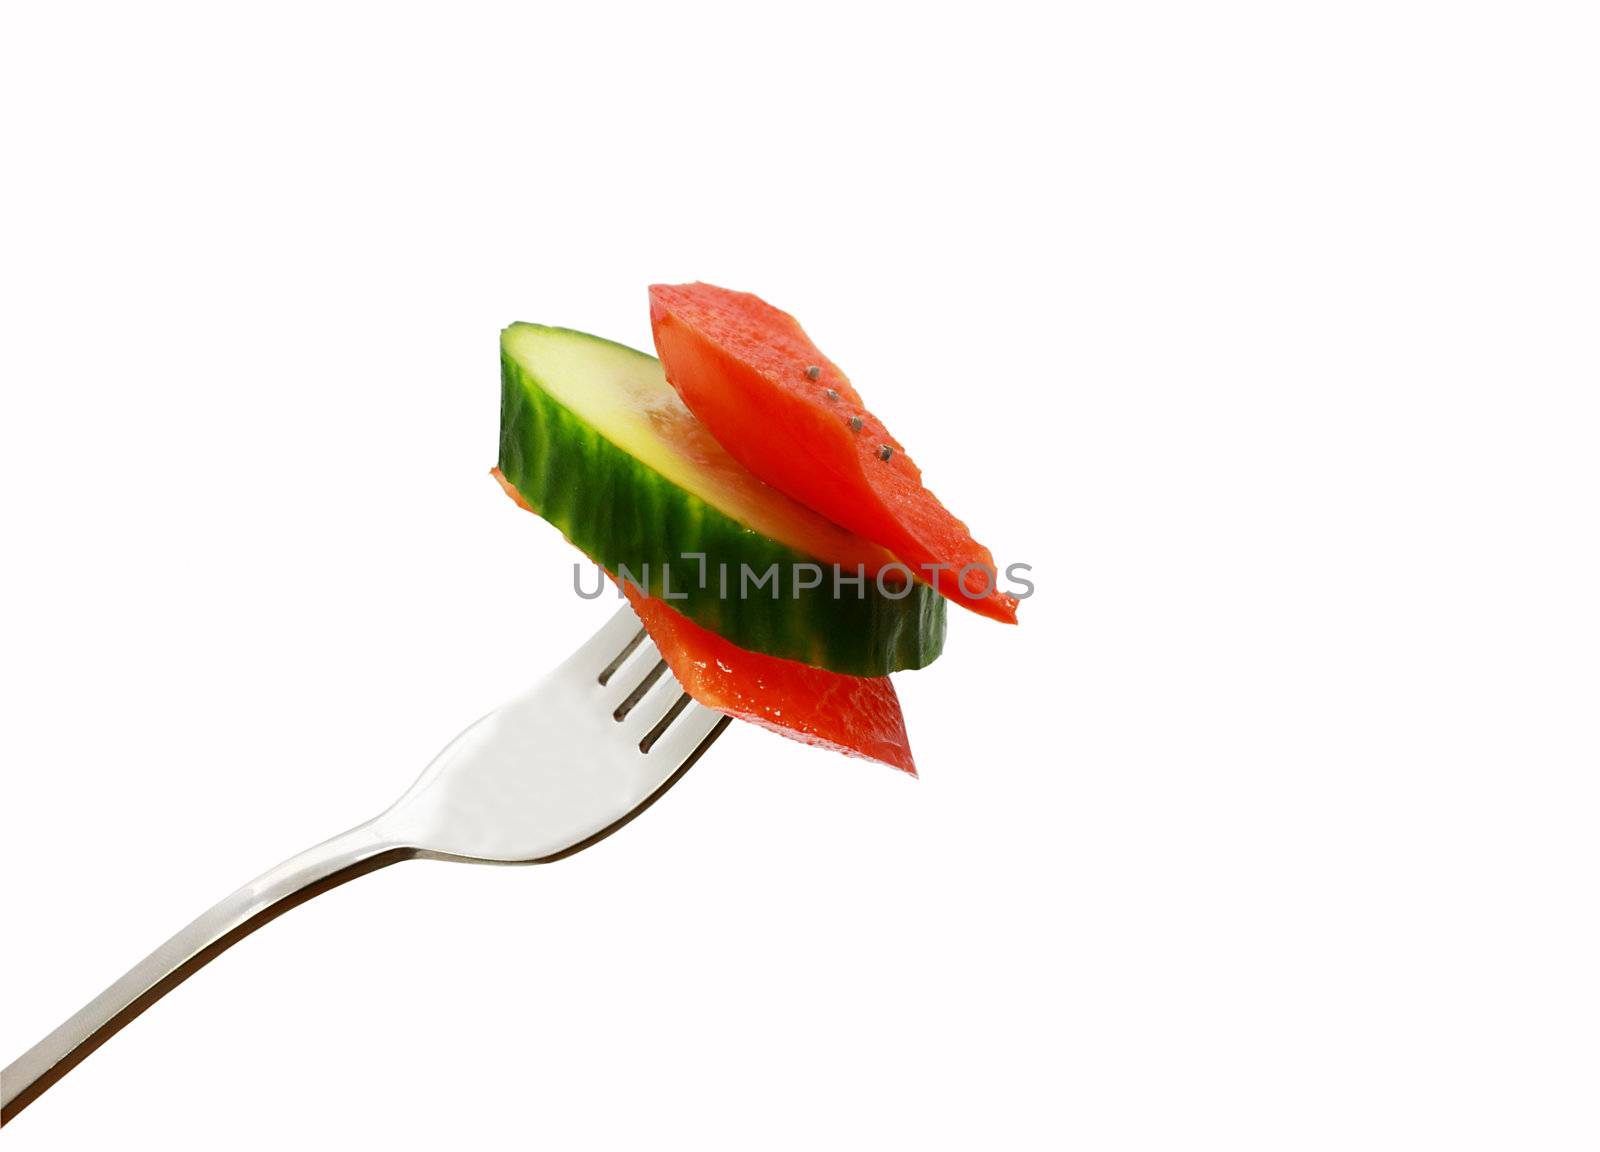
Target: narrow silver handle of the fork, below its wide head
(361, 850)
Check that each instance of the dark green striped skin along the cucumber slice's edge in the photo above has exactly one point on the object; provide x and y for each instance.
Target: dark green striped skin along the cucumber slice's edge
(622, 513)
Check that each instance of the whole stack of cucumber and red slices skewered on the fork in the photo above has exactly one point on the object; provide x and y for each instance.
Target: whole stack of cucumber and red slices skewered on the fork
(780, 577)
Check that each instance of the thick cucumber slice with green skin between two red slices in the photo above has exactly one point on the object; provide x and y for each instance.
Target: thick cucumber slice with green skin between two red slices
(598, 442)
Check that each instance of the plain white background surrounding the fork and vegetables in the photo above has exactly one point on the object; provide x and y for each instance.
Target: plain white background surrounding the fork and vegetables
(1265, 334)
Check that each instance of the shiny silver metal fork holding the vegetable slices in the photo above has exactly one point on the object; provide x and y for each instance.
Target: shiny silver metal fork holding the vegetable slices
(546, 775)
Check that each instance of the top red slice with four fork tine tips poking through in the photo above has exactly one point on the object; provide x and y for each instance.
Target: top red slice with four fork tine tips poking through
(790, 415)
